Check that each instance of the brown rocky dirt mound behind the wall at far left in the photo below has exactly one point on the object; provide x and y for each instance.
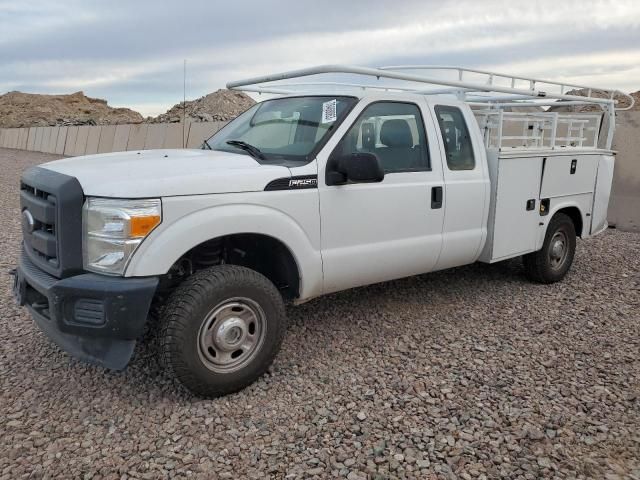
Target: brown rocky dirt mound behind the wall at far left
(19, 109)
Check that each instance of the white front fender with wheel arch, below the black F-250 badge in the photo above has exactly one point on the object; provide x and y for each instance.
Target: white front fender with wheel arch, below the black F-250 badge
(290, 216)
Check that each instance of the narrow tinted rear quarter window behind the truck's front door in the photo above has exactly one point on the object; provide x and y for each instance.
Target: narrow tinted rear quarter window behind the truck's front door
(455, 135)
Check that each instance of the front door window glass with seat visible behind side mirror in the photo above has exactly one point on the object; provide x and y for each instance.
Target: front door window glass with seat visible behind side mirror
(394, 132)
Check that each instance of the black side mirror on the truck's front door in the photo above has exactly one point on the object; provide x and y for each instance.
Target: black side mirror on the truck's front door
(356, 167)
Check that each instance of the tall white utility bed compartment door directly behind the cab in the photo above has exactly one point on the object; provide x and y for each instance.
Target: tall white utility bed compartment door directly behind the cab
(515, 228)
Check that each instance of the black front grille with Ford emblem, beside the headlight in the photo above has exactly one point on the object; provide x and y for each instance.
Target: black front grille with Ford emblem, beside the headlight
(51, 216)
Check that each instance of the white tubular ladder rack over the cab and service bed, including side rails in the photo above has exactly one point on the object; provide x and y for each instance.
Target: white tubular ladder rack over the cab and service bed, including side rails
(496, 99)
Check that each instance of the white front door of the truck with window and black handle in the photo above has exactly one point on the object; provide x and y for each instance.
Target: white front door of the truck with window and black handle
(373, 232)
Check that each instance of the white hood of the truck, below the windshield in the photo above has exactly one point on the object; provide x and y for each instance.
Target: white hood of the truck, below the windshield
(163, 173)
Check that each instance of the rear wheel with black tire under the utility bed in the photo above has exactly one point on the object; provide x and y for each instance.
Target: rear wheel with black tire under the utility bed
(551, 263)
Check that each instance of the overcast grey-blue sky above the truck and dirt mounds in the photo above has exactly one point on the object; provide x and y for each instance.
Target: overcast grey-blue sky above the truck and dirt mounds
(131, 52)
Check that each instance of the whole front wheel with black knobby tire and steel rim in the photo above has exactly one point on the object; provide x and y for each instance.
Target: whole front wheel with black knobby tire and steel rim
(221, 329)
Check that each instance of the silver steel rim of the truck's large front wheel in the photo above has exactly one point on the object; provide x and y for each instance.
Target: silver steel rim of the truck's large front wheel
(231, 335)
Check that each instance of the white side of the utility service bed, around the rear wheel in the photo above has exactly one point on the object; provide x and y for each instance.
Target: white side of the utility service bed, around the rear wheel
(517, 177)
